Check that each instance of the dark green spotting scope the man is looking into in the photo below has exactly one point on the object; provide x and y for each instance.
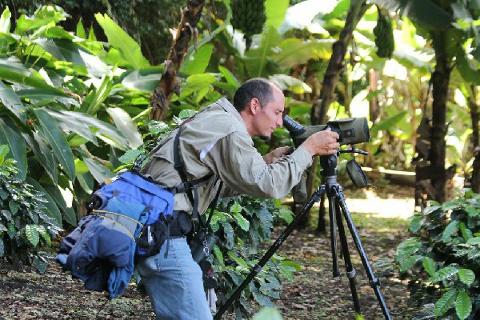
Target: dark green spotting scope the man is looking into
(350, 130)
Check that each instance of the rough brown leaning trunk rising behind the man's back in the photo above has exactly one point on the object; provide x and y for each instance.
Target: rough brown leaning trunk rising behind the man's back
(168, 83)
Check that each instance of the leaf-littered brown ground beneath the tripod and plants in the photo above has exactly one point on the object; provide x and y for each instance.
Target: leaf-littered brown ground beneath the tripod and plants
(379, 215)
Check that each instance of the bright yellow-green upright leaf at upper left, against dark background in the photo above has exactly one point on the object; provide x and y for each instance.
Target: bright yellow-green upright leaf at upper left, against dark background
(119, 39)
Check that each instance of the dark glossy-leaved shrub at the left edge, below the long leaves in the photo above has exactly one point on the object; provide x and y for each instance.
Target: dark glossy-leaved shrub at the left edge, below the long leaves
(24, 223)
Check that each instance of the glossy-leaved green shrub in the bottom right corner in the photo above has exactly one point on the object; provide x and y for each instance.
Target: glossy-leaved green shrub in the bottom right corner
(443, 258)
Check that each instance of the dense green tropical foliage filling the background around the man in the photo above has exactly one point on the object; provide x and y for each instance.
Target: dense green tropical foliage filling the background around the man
(76, 80)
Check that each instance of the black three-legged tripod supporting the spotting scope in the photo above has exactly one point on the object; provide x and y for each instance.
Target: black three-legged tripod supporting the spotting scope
(337, 209)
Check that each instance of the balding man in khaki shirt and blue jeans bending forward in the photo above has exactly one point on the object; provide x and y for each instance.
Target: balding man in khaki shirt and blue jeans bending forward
(218, 142)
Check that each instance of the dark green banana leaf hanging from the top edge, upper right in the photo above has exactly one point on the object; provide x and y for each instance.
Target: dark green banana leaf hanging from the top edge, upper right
(427, 13)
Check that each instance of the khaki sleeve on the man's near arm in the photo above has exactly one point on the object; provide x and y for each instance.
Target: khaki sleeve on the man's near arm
(243, 170)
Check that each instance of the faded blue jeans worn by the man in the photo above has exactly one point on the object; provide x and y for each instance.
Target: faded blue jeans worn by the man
(174, 283)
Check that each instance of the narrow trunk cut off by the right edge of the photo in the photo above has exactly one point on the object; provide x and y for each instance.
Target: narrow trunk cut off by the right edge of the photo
(472, 102)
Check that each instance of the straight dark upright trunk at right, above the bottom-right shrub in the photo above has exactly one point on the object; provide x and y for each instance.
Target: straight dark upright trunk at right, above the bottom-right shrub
(440, 82)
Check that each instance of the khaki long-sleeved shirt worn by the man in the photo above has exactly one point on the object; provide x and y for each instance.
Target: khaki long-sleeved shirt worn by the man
(216, 141)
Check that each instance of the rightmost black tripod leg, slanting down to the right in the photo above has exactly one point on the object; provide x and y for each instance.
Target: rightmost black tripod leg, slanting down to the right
(374, 282)
